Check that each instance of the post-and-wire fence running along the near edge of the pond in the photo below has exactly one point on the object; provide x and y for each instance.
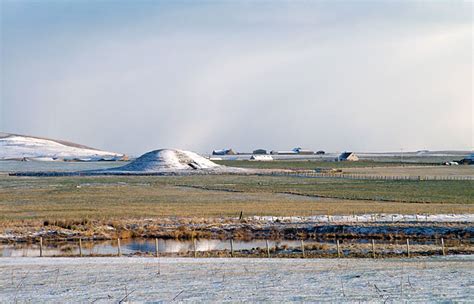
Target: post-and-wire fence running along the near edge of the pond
(337, 248)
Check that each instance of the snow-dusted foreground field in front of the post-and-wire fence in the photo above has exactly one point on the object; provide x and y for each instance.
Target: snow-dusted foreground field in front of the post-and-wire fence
(110, 280)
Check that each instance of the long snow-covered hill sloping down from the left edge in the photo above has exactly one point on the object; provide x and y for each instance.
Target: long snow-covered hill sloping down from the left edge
(20, 147)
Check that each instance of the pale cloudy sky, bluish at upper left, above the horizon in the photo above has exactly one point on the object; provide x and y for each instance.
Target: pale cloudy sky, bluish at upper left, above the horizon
(134, 76)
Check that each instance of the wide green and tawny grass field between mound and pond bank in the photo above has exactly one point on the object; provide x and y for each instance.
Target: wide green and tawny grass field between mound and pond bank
(104, 198)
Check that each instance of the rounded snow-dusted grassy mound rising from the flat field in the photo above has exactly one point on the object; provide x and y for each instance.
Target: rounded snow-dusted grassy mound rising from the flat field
(164, 160)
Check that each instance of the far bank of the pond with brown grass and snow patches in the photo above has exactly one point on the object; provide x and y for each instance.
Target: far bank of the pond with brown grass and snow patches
(226, 229)
